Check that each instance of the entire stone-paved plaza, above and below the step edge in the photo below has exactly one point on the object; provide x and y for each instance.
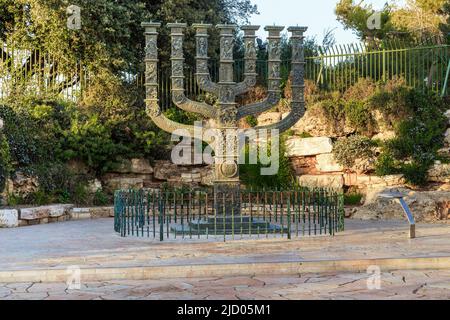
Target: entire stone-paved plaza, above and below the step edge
(93, 244)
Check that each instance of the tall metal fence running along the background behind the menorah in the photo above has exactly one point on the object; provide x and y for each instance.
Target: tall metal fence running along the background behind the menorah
(424, 66)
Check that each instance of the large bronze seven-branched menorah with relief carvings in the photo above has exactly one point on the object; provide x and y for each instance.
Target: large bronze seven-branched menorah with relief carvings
(226, 113)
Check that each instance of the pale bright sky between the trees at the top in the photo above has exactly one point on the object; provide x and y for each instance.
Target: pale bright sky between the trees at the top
(317, 15)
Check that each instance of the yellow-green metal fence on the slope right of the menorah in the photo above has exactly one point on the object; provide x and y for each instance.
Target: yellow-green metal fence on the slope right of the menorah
(423, 66)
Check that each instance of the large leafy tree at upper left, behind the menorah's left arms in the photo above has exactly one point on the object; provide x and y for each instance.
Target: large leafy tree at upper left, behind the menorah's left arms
(111, 36)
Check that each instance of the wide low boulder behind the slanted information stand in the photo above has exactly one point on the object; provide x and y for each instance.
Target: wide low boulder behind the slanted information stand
(426, 206)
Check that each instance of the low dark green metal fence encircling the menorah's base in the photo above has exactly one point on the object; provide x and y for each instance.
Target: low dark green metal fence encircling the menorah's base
(194, 215)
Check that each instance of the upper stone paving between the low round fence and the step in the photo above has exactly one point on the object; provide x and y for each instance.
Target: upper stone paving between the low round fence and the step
(93, 243)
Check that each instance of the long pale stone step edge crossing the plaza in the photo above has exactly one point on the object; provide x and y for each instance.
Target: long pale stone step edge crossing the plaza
(223, 270)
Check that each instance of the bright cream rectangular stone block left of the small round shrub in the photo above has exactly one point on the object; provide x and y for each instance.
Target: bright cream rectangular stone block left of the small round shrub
(300, 147)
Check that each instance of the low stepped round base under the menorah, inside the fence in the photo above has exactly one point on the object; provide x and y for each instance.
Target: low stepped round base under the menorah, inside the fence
(221, 225)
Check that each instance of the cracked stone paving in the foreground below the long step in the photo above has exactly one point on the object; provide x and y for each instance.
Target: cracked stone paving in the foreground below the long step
(394, 285)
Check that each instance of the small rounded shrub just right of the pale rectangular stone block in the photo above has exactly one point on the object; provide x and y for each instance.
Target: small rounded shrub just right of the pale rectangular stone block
(348, 150)
